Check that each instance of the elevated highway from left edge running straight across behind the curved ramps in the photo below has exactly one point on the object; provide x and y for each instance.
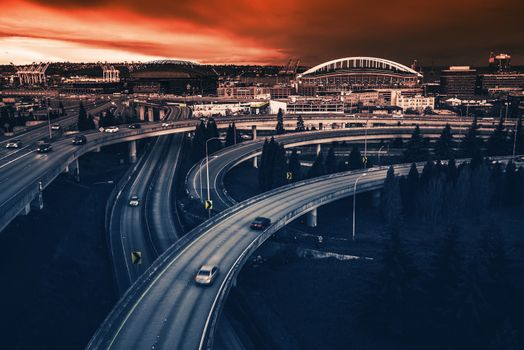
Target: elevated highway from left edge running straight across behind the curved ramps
(23, 177)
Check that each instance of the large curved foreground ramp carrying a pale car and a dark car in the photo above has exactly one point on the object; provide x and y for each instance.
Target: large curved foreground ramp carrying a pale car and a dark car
(165, 309)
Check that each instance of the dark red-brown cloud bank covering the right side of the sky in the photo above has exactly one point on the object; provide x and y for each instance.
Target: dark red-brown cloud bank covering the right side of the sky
(444, 32)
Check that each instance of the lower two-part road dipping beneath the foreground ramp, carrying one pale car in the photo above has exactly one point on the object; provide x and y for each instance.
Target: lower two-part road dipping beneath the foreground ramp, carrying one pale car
(149, 228)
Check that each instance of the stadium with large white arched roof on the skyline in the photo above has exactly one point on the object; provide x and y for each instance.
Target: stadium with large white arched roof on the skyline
(356, 74)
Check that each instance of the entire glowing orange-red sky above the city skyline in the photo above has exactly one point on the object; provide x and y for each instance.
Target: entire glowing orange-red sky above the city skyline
(255, 31)
